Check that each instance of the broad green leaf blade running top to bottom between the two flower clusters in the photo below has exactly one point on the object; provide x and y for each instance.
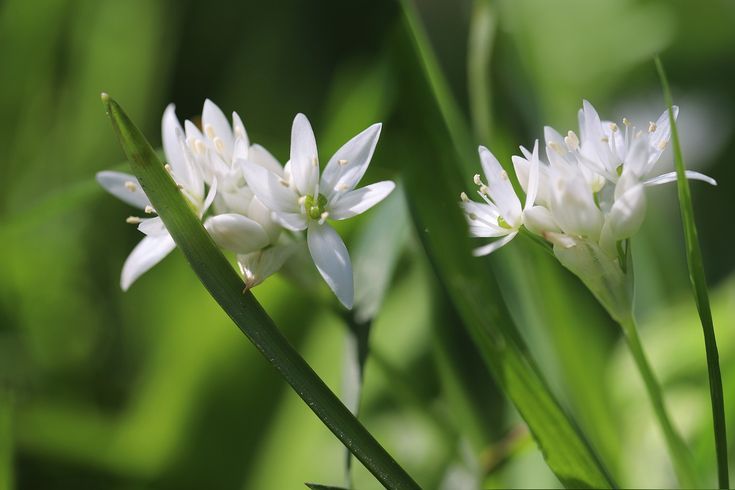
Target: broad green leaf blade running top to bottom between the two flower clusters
(467, 280)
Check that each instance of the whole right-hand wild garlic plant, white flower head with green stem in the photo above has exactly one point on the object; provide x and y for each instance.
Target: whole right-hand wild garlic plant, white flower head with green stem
(586, 201)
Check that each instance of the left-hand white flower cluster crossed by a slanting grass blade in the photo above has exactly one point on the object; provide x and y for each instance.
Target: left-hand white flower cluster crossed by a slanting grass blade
(251, 204)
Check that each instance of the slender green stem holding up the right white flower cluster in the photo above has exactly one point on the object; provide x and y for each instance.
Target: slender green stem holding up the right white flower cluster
(677, 449)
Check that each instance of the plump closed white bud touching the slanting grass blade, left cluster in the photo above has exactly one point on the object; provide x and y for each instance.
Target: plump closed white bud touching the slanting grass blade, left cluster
(236, 233)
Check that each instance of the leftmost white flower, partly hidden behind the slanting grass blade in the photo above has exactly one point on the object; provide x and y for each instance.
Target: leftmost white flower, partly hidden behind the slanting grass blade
(158, 242)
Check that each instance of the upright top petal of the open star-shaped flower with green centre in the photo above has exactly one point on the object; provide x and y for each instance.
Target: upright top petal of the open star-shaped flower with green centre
(304, 157)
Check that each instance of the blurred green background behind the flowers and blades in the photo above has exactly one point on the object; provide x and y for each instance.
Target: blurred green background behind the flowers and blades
(156, 389)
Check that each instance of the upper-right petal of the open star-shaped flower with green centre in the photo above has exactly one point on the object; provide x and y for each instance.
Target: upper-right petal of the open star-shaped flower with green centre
(345, 169)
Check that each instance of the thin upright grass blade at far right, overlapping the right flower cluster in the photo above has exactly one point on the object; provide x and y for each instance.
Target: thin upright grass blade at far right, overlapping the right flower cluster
(699, 287)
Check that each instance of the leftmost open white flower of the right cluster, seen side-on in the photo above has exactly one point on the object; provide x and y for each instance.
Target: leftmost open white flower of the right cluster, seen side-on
(500, 215)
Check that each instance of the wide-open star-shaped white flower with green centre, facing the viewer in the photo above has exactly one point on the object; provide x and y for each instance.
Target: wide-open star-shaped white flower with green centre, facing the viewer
(303, 200)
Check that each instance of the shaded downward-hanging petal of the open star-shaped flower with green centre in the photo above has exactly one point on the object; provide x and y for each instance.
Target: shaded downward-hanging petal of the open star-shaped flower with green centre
(332, 260)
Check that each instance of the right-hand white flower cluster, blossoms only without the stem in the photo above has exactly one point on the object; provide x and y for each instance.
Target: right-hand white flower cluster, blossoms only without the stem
(590, 192)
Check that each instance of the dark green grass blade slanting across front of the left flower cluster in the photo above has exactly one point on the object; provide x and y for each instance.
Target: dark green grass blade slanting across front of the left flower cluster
(226, 287)
